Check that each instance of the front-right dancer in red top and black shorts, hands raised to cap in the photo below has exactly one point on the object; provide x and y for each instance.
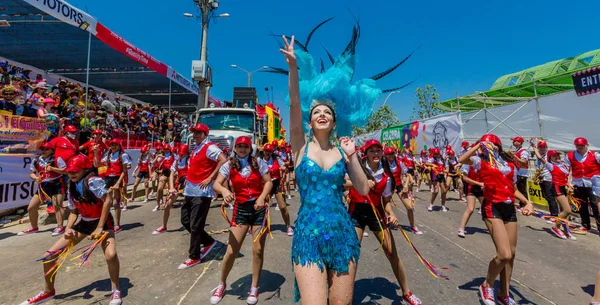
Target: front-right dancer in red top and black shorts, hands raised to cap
(497, 173)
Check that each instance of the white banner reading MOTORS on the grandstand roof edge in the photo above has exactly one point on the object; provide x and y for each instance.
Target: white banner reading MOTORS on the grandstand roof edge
(66, 13)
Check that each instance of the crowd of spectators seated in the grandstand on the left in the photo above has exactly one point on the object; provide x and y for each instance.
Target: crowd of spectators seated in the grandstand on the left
(63, 104)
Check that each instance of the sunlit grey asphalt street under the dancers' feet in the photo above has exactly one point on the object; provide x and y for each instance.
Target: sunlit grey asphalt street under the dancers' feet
(548, 270)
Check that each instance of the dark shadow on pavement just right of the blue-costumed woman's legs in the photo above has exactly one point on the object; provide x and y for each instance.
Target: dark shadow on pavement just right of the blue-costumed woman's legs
(370, 291)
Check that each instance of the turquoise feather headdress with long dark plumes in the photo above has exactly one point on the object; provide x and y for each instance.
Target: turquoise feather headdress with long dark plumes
(352, 101)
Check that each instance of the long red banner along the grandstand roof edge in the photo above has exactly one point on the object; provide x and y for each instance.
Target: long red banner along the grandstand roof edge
(118, 43)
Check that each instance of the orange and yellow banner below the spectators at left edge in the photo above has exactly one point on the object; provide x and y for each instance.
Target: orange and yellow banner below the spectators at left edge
(21, 133)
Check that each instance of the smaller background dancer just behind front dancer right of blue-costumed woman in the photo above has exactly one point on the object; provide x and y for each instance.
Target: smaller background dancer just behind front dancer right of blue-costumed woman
(398, 167)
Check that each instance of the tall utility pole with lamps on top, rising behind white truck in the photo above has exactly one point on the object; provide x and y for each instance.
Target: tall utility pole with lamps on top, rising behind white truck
(206, 9)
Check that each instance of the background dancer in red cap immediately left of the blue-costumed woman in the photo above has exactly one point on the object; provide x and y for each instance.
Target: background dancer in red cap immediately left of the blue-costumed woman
(276, 170)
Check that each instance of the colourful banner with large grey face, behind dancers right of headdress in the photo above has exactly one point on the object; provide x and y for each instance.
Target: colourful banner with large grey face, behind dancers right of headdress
(438, 131)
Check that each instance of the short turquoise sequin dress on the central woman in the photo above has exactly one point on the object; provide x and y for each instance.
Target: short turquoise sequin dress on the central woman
(324, 234)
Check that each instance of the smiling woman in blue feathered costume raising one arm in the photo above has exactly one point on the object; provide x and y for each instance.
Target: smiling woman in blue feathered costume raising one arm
(325, 249)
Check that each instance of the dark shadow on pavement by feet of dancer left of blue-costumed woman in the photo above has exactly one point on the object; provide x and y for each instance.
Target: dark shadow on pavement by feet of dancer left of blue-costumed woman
(270, 285)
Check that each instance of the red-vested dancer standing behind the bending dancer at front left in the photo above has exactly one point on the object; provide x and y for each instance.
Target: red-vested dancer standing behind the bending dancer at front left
(117, 163)
